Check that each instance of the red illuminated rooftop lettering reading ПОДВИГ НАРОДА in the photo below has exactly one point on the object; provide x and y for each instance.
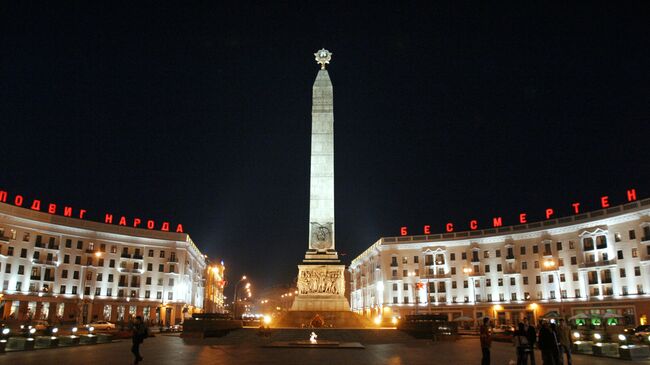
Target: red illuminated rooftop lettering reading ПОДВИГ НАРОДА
(66, 211)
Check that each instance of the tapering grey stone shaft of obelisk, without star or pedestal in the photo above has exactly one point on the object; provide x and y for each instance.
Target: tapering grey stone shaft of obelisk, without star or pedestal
(321, 190)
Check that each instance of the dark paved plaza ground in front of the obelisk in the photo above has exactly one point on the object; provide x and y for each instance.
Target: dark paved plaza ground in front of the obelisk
(246, 348)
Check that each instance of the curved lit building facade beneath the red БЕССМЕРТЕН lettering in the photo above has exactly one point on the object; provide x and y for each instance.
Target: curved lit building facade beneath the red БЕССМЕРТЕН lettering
(593, 263)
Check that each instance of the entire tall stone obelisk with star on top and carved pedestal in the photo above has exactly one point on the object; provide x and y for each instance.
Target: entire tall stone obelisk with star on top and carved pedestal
(321, 282)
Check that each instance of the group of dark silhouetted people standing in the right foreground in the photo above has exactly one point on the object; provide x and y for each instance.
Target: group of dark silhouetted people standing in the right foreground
(553, 341)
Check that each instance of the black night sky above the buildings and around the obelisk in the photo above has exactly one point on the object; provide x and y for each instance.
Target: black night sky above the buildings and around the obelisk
(200, 114)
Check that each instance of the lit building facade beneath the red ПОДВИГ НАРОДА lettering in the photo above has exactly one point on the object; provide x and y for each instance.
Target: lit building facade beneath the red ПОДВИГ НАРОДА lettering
(66, 269)
